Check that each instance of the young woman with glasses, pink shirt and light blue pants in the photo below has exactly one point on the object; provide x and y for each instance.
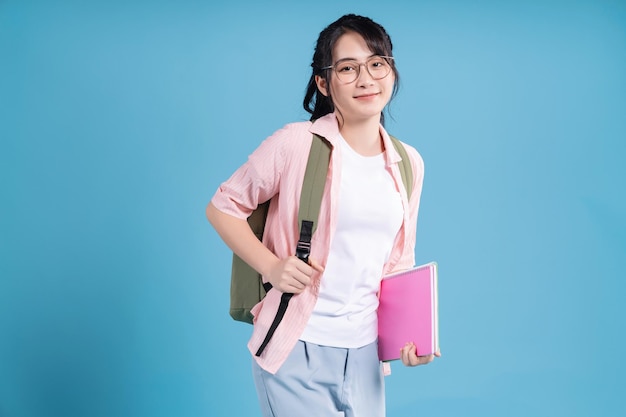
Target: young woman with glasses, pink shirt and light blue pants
(322, 359)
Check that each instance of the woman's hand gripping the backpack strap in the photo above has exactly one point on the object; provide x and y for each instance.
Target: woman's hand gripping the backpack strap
(291, 275)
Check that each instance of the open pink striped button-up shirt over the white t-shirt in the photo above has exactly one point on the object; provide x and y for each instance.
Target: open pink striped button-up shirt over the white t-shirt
(276, 170)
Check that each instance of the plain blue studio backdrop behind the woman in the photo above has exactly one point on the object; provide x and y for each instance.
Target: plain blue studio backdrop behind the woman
(119, 119)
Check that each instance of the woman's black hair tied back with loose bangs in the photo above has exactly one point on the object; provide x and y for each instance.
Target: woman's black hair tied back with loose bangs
(375, 37)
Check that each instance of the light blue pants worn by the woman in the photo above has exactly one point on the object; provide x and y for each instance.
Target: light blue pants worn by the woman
(323, 381)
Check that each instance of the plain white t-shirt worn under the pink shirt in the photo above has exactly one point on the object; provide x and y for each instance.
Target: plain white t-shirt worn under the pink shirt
(369, 218)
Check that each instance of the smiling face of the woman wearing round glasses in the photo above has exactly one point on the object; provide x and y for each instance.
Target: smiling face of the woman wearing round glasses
(364, 98)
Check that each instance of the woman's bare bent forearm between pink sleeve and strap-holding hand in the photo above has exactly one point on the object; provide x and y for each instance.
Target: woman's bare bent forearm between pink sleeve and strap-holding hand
(238, 236)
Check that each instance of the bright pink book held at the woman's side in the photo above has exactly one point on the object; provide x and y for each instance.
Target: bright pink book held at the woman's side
(408, 312)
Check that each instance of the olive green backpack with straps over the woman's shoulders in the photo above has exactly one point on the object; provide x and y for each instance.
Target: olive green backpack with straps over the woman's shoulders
(246, 284)
